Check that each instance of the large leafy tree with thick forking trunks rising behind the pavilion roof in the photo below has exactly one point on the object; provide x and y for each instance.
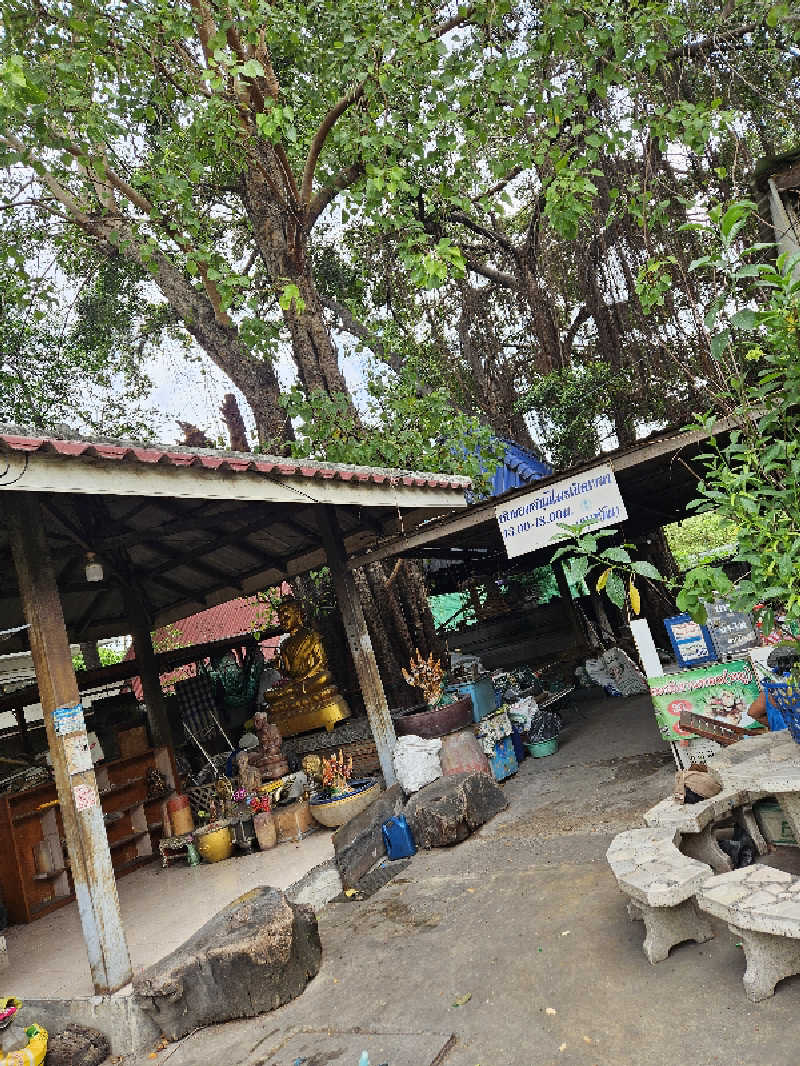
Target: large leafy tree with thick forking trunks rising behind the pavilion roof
(204, 141)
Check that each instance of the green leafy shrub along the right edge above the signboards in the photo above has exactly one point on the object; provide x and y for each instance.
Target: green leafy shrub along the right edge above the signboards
(753, 477)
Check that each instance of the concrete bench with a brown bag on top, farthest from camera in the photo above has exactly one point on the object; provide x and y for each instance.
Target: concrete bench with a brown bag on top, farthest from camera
(696, 823)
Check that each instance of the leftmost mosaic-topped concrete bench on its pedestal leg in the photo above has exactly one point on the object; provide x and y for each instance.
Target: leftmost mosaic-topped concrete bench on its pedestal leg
(662, 883)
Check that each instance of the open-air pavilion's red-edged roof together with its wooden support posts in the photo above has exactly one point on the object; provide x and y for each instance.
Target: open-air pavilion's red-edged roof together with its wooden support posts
(174, 530)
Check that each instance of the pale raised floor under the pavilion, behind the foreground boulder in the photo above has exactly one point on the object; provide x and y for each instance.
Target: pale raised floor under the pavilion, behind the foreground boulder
(162, 909)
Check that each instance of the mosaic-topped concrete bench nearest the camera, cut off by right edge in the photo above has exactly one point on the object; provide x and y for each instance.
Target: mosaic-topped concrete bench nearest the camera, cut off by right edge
(762, 908)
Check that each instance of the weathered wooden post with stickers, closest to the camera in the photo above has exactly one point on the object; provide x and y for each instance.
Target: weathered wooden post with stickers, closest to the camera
(93, 875)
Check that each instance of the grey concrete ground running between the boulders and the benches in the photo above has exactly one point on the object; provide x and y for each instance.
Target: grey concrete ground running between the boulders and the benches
(525, 918)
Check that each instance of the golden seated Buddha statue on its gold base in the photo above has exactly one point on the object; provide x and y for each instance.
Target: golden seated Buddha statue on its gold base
(309, 699)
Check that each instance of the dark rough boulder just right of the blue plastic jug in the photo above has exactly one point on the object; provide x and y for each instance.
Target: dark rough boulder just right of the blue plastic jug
(449, 811)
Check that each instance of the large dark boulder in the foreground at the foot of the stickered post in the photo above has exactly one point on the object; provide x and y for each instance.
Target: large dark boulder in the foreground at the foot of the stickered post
(257, 955)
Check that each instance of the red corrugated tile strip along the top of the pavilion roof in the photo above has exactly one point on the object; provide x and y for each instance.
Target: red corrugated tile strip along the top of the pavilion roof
(235, 462)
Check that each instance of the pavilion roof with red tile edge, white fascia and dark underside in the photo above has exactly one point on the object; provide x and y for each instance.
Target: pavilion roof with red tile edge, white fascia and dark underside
(193, 528)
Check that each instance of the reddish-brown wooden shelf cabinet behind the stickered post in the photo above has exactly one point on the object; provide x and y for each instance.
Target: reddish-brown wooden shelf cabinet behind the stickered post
(35, 867)
